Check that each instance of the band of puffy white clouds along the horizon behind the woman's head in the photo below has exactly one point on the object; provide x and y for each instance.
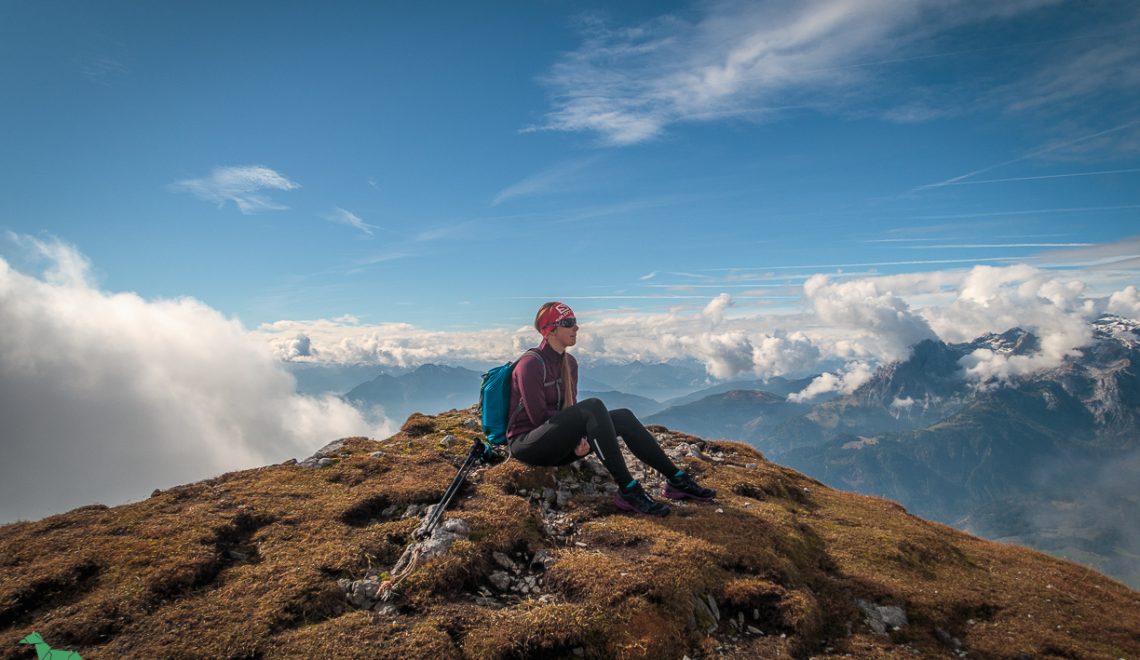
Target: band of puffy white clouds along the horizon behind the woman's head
(856, 323)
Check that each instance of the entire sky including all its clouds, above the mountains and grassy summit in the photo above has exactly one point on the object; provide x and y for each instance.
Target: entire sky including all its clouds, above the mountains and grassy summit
(194, 192)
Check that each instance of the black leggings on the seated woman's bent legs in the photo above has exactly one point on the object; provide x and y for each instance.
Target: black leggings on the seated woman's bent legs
(555, 443)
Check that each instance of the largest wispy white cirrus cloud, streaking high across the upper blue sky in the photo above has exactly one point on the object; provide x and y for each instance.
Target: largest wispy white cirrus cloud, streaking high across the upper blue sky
(755, 60)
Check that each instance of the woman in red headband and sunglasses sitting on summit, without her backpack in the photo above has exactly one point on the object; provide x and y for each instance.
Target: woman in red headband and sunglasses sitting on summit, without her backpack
(550, 428)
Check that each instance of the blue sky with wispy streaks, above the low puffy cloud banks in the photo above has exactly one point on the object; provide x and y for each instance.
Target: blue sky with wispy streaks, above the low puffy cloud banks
(451, 166)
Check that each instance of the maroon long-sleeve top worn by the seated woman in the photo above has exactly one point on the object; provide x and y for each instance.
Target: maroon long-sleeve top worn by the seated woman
(539, 385)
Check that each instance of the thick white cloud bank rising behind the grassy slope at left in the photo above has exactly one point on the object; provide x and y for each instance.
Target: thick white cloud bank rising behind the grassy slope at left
(107, 396)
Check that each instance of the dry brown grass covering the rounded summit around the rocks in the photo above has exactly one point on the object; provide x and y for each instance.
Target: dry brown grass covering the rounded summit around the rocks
(246, 566)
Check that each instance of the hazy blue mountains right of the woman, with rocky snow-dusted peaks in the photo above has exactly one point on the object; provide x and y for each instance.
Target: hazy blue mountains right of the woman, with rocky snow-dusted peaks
(1049, 460)
